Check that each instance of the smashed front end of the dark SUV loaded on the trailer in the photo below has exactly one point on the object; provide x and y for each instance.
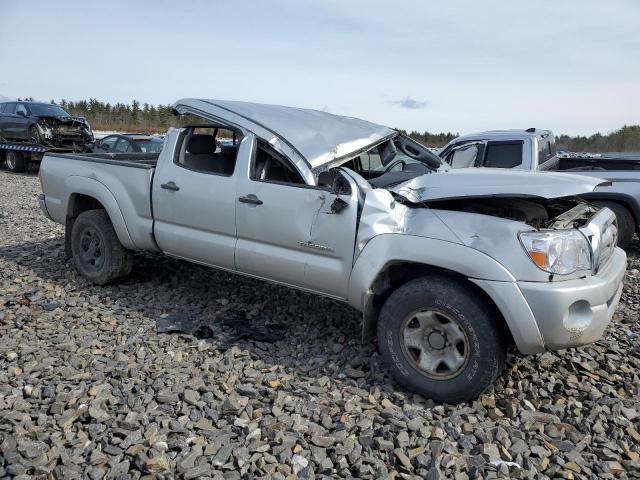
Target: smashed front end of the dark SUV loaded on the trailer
(64, 133)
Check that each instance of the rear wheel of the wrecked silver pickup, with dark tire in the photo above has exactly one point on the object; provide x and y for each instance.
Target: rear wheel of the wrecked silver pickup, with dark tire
(97, 253)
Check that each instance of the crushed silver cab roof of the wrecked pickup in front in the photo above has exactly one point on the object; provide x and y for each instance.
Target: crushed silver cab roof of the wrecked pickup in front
(313, 136)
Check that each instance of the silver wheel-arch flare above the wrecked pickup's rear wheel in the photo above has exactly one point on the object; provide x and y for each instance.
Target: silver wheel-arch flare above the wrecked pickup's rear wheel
(75, 184)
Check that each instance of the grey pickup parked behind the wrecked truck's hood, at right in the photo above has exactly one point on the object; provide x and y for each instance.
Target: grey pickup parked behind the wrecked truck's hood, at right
(534, 150)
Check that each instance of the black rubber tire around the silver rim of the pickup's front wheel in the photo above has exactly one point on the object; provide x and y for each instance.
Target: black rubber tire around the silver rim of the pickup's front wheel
(485, 343)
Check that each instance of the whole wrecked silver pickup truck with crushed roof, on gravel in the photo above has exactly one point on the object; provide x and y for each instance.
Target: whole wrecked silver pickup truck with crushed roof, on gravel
(449, 267)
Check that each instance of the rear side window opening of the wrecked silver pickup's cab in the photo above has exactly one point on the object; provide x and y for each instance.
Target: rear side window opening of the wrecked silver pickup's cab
(209, 149)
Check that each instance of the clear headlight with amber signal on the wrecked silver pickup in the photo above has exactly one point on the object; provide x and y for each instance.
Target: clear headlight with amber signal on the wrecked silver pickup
(562, 251)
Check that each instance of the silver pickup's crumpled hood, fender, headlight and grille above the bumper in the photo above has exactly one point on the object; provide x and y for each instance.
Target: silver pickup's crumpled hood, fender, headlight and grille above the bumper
(533, 224)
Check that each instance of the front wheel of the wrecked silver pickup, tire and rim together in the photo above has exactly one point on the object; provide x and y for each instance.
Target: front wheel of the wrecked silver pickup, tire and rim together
(440, 340)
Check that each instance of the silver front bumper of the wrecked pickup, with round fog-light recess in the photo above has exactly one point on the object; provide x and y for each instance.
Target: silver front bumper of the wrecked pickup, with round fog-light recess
(576, 312)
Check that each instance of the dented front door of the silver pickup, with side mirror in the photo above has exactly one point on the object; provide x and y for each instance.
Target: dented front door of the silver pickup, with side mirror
(287, 230)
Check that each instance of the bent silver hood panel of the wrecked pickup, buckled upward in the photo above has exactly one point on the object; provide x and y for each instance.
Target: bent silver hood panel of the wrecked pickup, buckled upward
(489, 182)
